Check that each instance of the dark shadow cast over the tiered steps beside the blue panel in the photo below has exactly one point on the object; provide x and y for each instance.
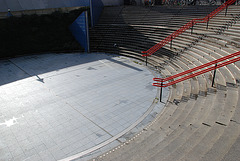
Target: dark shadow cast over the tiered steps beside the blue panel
(121, 31)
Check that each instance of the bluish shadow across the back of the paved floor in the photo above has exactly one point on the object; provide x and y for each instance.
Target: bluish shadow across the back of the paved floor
(15, 69)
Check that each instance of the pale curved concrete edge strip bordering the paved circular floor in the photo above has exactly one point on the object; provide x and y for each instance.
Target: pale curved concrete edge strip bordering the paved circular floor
(114, 138)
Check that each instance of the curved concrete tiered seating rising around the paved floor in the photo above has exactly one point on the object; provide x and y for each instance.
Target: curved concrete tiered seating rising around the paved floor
(199, 122)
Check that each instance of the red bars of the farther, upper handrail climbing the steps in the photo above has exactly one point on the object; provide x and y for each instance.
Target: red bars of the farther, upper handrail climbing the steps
(185, 27)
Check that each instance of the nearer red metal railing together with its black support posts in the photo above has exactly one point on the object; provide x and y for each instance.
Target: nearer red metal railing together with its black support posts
(218, 63)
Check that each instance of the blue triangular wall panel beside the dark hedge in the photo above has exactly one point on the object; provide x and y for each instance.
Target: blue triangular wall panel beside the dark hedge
(79, 30)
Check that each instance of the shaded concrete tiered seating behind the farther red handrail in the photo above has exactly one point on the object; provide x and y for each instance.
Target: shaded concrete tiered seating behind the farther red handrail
(136, 24)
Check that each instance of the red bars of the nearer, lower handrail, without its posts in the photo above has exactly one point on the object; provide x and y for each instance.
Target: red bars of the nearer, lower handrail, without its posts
(197, 68)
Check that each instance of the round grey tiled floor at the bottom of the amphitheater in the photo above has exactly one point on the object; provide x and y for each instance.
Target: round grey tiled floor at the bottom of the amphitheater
(54, 106)
